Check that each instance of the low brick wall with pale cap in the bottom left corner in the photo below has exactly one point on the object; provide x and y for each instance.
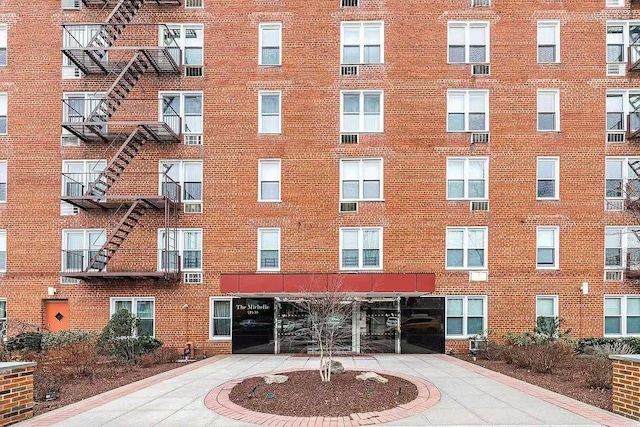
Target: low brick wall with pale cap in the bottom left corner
(16, 391)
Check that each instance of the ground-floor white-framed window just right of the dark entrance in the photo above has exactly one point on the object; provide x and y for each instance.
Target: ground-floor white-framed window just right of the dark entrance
(466, 316)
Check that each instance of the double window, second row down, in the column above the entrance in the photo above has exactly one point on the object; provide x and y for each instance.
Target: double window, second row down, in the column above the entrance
(361, 111)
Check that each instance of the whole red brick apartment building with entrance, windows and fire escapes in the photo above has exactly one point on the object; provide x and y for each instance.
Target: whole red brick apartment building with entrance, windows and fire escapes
(455, 166)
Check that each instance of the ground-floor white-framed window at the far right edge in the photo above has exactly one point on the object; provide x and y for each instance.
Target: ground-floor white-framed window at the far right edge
(622, 315)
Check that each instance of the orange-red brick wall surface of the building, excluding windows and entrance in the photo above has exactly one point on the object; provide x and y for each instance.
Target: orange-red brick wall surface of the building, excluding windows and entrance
(414, 146)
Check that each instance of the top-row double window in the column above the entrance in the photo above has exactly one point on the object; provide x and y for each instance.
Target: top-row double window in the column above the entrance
(362, 42)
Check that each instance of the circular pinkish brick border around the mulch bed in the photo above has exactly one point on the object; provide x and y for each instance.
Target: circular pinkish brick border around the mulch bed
(218, 401)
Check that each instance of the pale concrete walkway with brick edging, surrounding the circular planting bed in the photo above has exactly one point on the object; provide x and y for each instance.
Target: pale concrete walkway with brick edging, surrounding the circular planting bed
(469, 395)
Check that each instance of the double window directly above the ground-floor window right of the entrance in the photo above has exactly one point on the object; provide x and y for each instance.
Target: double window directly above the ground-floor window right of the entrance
(466, 248)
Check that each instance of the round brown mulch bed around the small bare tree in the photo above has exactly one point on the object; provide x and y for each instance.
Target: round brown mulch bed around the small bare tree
(304, 395)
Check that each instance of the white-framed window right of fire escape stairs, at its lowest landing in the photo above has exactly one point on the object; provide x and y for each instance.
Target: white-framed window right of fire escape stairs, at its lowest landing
(183, 244)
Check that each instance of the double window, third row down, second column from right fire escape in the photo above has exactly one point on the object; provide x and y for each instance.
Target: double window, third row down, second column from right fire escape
(467, 178)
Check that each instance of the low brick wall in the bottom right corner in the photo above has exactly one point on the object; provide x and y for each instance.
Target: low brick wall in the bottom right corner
(626, 385)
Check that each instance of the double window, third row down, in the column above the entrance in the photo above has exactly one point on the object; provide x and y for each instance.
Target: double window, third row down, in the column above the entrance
(360, 179)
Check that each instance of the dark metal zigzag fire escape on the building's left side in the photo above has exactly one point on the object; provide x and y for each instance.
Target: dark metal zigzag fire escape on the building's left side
(125, 66)
